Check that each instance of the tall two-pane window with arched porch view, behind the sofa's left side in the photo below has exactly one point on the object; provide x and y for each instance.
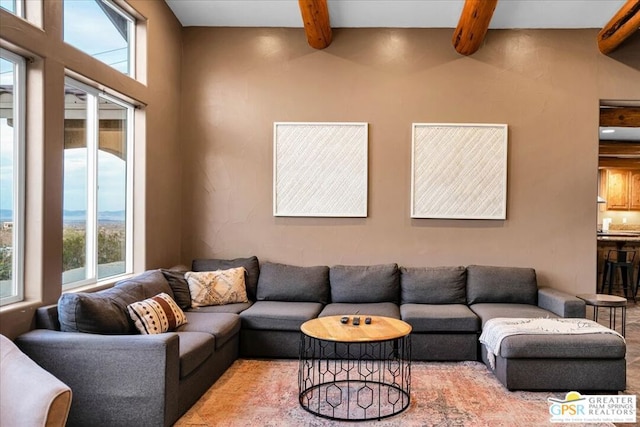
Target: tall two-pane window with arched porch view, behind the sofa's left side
(98, 141)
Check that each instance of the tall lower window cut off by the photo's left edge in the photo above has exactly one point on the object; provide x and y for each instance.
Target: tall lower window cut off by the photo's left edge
(12, 115)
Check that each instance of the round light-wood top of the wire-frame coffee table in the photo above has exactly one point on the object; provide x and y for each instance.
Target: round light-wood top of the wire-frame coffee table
(331, 329)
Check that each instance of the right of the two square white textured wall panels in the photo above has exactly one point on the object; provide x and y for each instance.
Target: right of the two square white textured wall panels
(459, 171)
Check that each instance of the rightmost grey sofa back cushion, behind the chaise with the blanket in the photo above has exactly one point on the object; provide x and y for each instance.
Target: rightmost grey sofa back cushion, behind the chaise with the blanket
(501, 285)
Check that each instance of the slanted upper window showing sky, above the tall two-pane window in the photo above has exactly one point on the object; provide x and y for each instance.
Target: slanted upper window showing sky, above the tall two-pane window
(102, 30)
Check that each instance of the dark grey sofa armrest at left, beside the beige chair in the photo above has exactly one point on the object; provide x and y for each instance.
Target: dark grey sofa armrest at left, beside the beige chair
(115, 379)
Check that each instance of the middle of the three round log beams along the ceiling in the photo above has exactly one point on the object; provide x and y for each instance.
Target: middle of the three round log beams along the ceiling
(473, 25)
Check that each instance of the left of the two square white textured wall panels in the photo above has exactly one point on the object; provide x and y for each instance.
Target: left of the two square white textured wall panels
(320, 169)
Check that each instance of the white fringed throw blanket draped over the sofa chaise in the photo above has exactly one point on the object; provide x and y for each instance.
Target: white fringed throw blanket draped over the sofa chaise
(497, 329)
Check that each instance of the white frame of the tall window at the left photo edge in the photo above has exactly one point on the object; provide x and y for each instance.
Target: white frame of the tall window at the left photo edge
(19, 176)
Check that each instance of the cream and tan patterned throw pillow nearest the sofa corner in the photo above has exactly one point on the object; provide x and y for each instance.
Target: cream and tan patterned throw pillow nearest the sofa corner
(217, 287)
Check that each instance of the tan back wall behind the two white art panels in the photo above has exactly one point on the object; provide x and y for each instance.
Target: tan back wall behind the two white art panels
(546, 85)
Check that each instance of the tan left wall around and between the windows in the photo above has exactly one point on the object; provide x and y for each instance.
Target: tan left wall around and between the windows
(158, 146)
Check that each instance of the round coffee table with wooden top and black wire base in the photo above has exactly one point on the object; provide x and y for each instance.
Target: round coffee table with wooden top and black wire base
(355, 372)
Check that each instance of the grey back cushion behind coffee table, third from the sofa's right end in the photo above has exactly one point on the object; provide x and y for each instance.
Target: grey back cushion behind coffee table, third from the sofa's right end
(365, 284)
